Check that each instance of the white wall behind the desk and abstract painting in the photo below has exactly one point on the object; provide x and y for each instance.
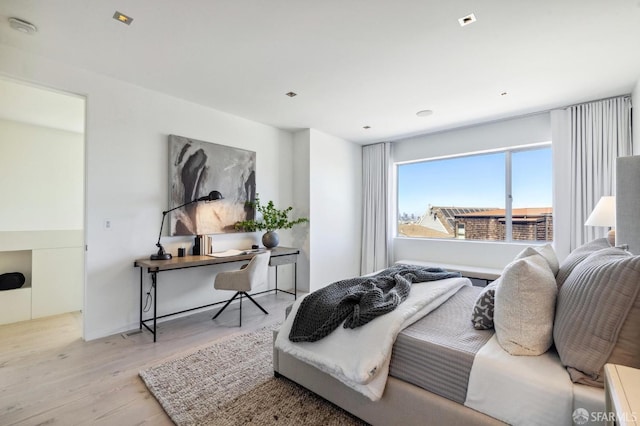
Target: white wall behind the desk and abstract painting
(126, 183)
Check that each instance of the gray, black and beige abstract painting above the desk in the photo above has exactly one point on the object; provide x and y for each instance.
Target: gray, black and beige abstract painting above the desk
(195, 169)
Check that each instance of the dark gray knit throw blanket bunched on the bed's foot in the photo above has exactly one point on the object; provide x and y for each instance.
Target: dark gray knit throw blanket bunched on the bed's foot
(356, 301)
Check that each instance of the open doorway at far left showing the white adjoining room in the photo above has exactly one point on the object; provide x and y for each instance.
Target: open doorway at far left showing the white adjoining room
(42, 161)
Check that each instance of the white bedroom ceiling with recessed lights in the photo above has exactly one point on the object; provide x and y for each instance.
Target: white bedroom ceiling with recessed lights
(353, 63)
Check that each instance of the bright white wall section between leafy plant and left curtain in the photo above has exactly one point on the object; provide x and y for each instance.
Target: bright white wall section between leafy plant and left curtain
(334, 170)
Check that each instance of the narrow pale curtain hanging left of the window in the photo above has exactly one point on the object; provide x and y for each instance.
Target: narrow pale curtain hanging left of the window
(375, 196)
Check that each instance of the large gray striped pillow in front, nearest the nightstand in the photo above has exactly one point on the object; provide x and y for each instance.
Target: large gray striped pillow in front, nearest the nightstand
(598, 315)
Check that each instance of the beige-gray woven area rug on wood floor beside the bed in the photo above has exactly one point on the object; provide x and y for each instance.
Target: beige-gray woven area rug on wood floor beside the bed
(231, 383)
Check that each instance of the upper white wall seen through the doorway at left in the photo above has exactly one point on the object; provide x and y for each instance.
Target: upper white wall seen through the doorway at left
(38, 168)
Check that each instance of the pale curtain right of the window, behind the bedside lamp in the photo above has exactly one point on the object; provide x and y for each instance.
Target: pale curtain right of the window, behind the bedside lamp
(598, 133)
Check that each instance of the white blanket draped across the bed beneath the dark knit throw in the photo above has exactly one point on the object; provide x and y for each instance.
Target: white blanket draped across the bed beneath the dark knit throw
(360, 357)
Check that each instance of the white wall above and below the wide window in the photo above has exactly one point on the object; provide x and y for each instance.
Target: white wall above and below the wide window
(497, 135)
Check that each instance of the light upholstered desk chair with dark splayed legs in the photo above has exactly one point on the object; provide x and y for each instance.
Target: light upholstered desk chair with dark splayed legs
(243, 280)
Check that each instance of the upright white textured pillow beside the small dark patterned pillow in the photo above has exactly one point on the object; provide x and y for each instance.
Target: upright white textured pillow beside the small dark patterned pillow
(525, 306)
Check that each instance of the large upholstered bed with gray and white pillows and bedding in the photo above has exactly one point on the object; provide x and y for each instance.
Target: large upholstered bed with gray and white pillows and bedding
(447, 367)
